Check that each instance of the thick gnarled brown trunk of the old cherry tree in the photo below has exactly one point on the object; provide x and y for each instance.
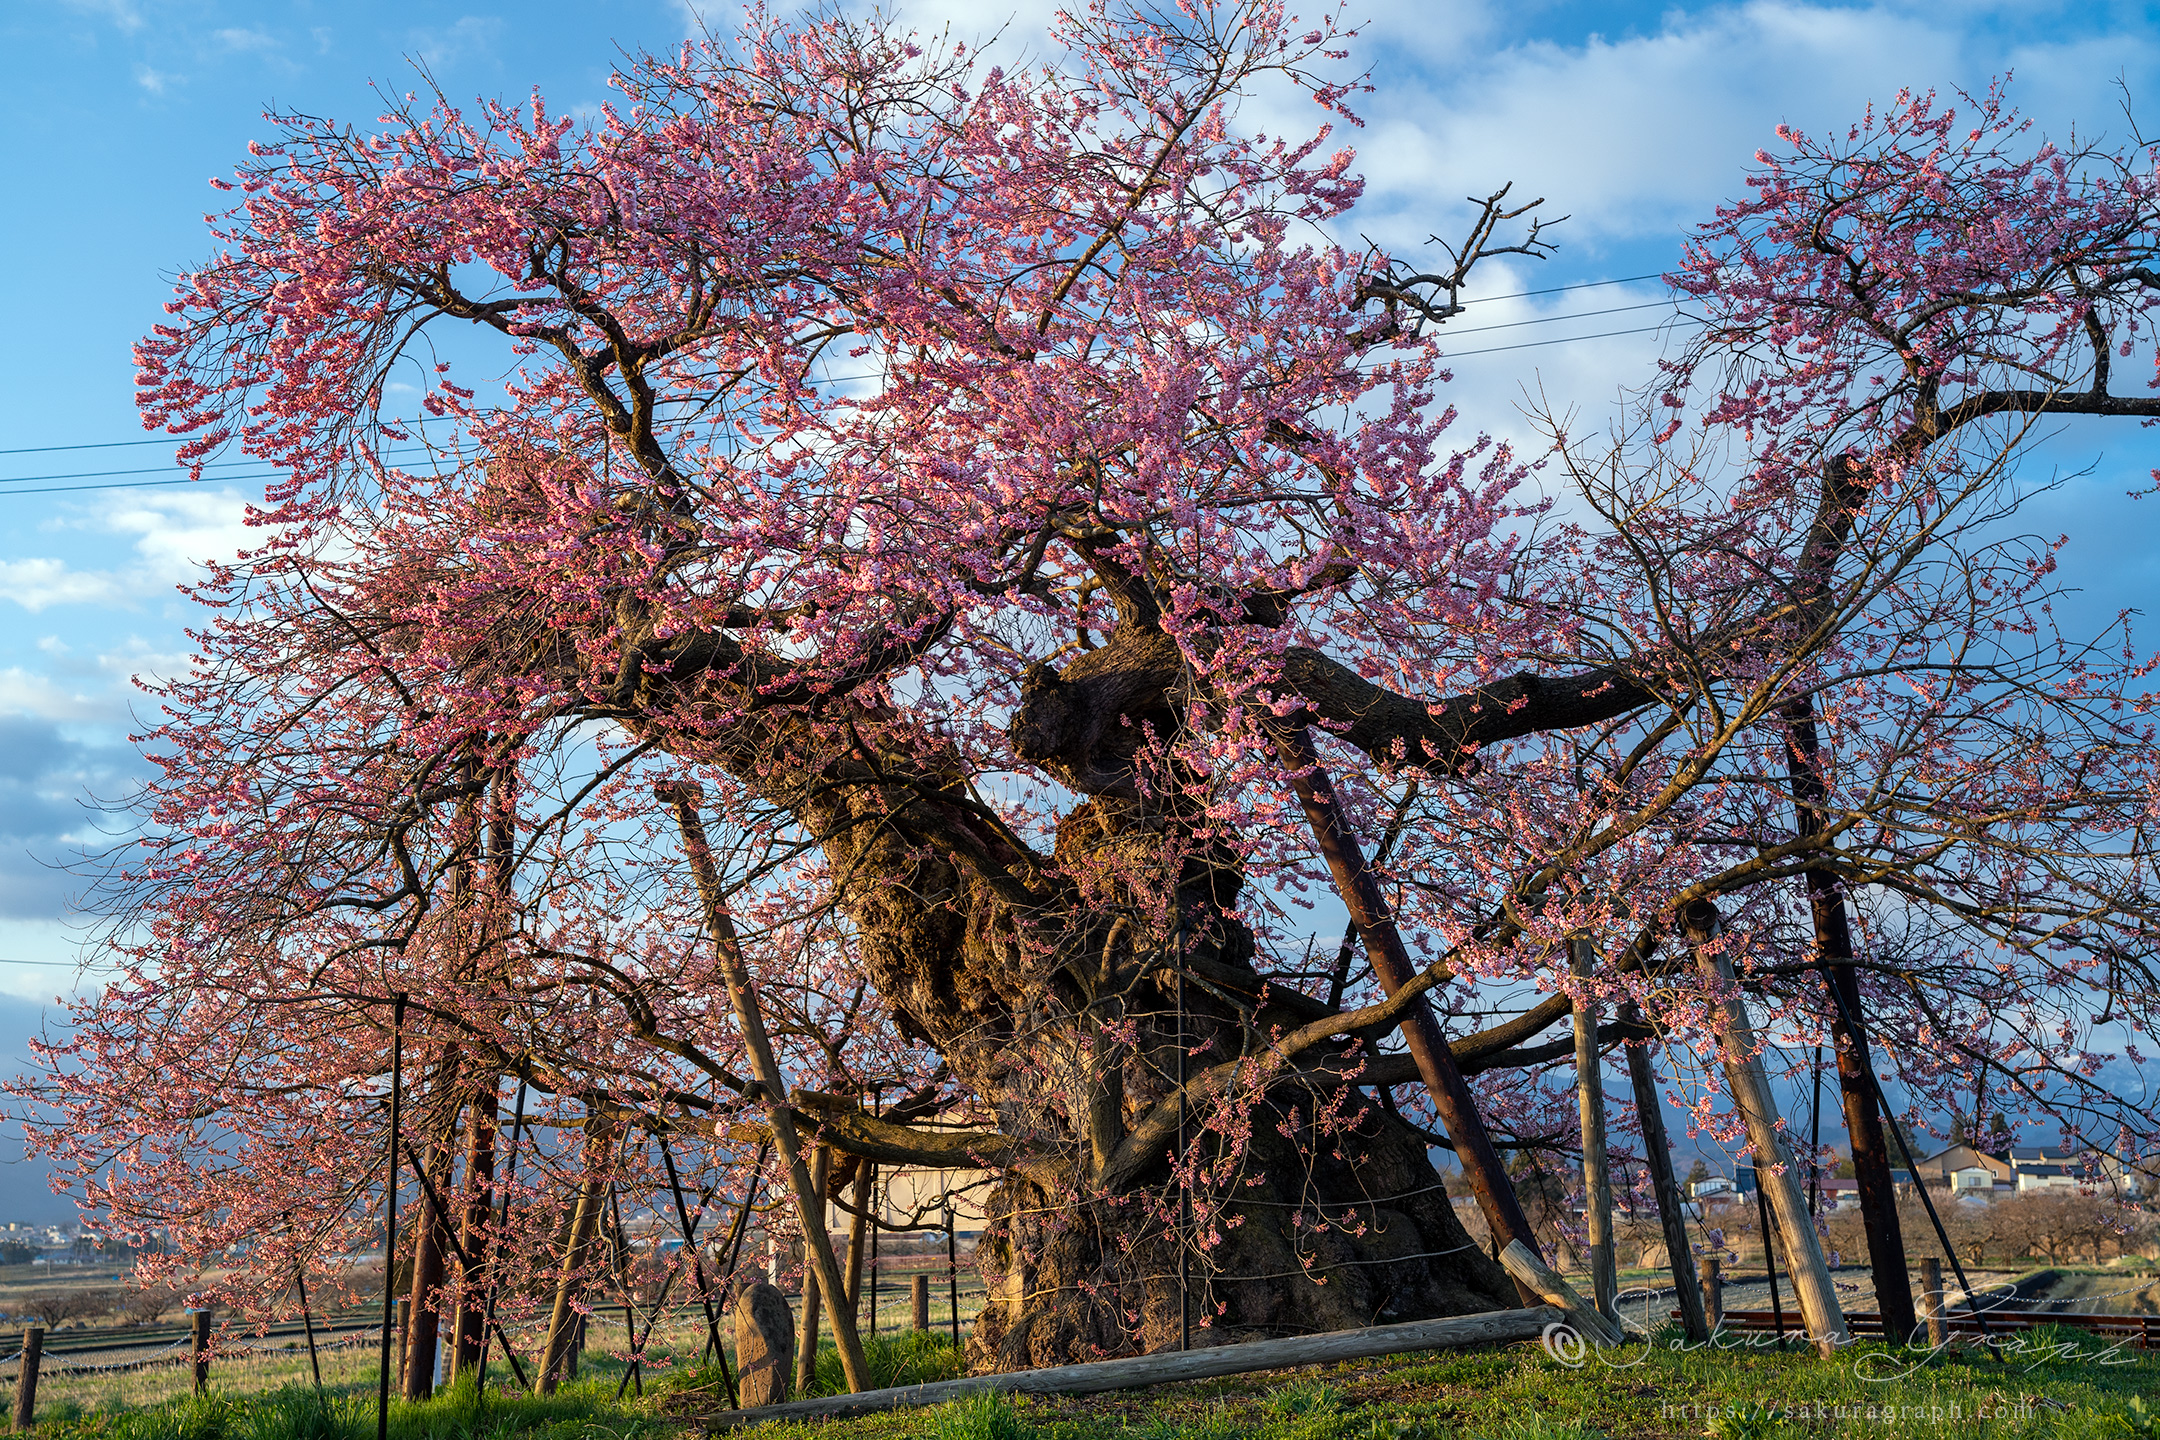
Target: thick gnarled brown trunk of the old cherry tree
(1018, 966)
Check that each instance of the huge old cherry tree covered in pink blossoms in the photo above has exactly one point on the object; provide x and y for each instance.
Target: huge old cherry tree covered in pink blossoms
(1049, 552)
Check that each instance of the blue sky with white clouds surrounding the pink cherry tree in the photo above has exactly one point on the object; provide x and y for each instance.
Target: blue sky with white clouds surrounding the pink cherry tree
(1634, 120)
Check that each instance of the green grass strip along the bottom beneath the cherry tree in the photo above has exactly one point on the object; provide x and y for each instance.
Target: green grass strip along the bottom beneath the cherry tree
(2066, 1391)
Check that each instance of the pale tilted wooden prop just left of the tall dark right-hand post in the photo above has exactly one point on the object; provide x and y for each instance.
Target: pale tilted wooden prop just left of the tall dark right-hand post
(1749, 1081)
